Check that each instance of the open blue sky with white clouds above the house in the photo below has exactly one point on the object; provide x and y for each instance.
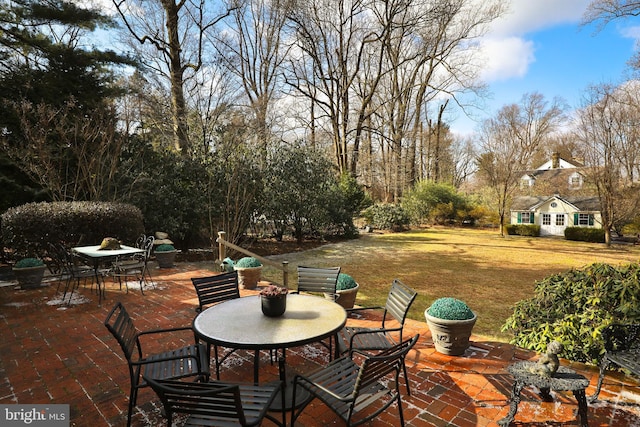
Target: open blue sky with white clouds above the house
(540, 46)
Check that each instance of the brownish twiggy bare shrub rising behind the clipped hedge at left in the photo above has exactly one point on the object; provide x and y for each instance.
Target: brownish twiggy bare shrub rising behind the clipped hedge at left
(75, 156)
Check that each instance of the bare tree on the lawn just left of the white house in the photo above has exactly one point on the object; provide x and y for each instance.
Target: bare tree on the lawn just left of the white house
(509, 141)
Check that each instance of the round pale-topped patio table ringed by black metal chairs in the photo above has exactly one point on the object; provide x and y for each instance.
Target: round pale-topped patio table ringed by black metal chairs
(239, 323)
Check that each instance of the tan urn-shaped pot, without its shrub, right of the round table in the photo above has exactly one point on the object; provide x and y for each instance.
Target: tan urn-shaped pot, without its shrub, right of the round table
(450, 337)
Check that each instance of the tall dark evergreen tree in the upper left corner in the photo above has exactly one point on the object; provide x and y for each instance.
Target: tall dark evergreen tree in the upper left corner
(46, 64)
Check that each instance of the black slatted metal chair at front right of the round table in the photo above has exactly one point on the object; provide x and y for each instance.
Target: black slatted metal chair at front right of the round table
(349, 388)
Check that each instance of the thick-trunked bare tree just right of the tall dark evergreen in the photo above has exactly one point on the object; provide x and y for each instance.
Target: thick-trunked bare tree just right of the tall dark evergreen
(170, 38)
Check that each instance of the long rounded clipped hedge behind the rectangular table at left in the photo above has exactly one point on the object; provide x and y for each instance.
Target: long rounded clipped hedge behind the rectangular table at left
(27, 229)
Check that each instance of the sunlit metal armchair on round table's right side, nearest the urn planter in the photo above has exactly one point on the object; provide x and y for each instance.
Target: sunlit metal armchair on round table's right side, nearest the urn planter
(389, 333)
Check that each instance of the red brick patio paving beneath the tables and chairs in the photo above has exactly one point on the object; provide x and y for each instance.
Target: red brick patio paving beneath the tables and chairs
(51, 353)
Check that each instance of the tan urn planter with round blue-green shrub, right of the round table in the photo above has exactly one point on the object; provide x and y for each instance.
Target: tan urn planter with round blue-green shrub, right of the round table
(450, 322)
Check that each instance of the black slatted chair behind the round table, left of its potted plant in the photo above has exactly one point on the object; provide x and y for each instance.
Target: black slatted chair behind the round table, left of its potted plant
(213, 290)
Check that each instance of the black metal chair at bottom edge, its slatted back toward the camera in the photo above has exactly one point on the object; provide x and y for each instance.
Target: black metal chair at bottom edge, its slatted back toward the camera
(217, 403)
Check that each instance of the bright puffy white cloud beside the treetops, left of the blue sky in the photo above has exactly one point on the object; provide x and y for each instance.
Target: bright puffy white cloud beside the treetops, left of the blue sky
(506, 58)
